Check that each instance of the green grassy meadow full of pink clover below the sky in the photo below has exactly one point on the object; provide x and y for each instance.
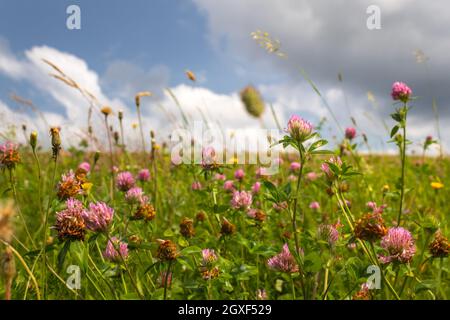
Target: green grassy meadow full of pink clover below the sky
(126, 224)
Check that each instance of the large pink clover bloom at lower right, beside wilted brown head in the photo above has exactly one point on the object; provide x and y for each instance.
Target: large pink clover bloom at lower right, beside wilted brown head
(399, 244)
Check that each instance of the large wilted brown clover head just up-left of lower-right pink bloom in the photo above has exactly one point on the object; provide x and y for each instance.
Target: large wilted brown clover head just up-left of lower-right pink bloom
(370, 227)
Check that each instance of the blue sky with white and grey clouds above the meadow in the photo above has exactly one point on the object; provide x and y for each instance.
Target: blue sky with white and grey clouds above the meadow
(128, 46)
